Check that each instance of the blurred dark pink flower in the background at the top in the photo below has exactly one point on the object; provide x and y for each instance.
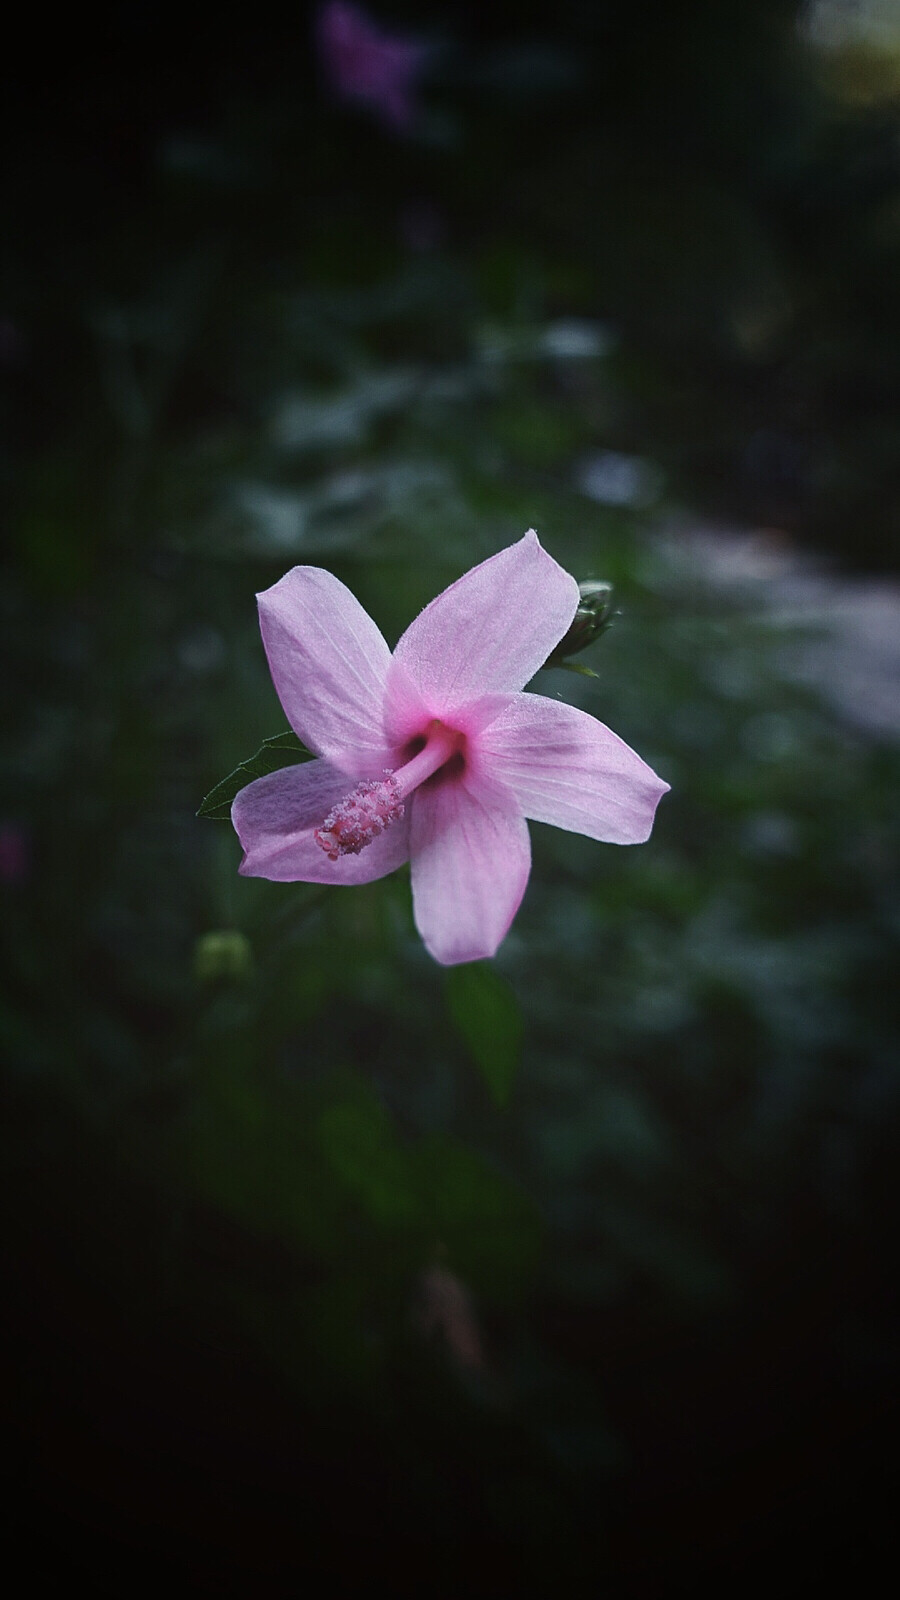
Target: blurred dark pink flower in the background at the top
(366, 65)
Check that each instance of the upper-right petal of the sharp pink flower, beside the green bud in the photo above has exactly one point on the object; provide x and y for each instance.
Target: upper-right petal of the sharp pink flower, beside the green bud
(491, 631)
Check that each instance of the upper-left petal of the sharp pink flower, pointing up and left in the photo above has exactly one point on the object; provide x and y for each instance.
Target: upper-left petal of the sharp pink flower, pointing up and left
(329, 665)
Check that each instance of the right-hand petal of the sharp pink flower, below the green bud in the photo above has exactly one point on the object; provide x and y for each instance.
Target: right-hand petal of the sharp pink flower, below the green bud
(568, 769)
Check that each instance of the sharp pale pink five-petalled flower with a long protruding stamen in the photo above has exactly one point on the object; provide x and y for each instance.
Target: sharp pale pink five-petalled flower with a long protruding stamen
(435, 754)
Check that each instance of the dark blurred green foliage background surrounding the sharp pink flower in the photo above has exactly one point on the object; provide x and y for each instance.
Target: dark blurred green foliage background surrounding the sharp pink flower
(576, 1268)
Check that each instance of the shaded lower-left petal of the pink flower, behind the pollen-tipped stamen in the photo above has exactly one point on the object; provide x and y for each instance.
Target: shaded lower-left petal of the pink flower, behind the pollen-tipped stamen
(276, 818)
